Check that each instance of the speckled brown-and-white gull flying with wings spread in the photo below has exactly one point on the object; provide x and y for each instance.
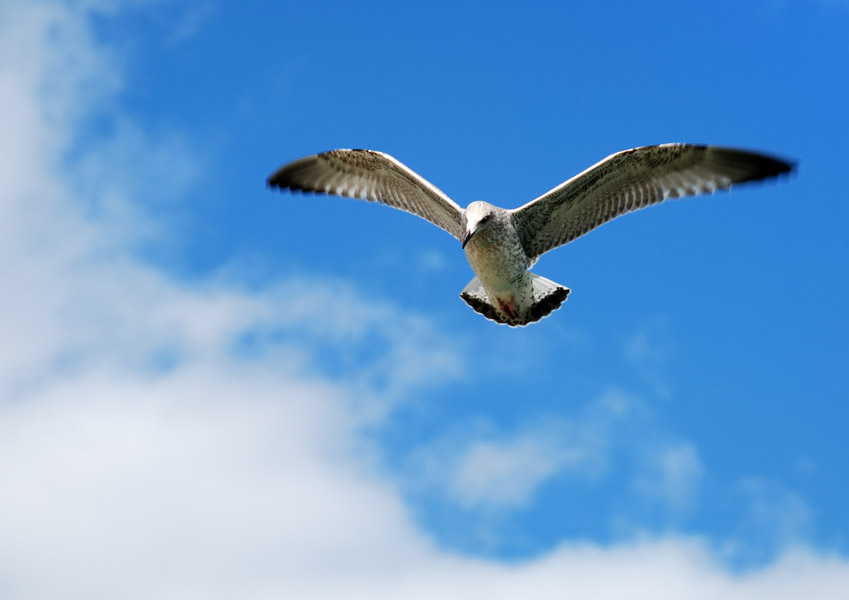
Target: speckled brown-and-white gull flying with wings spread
(500, 244)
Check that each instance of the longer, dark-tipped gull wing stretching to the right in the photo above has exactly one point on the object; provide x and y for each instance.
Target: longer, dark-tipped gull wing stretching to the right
(630, 180)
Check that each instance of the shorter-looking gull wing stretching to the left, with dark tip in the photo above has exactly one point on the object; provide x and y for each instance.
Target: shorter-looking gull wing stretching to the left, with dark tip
(372, 176)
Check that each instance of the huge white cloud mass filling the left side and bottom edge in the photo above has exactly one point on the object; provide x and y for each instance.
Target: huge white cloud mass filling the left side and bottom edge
(160, 439)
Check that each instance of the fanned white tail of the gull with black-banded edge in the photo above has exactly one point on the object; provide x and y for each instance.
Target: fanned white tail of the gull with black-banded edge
(547, 297)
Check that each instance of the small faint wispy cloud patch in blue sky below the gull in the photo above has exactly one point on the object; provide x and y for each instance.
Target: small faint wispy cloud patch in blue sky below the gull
(478, 466)
